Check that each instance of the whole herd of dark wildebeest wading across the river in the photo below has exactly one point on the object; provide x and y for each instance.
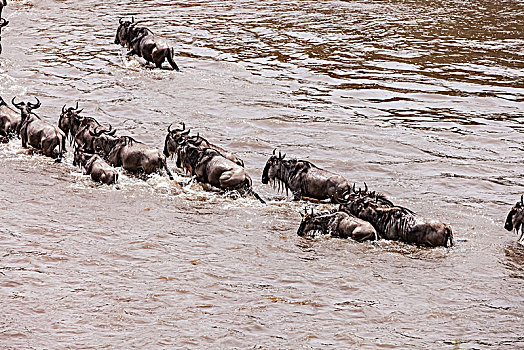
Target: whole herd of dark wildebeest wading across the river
(361, 215)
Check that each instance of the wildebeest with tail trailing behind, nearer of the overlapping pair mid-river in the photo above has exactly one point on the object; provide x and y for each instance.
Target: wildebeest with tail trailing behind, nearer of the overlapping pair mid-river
(209, 166)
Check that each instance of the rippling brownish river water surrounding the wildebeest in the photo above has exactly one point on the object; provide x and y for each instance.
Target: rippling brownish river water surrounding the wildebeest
(422, 100)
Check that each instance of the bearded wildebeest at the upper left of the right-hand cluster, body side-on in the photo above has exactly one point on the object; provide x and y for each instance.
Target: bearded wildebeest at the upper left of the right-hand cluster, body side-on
(304, 179)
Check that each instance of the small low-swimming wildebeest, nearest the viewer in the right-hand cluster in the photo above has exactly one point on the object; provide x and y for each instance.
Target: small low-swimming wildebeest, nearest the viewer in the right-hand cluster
(337, 224)
